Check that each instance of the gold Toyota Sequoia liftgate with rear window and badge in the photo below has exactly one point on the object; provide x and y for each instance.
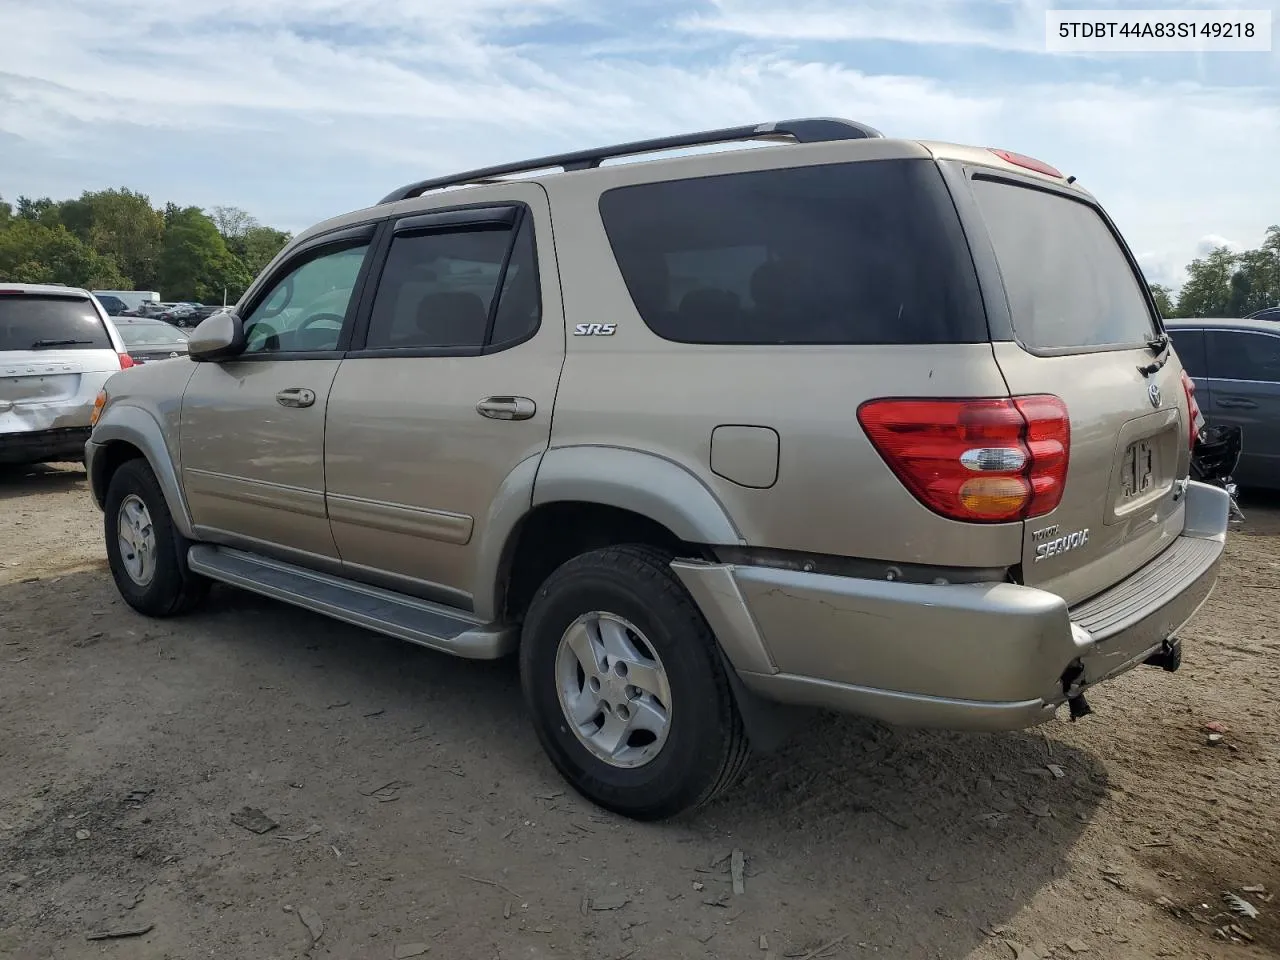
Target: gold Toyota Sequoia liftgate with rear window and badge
(1086, 332)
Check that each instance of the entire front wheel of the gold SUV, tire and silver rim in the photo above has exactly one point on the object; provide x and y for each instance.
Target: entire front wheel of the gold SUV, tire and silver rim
(147, 554)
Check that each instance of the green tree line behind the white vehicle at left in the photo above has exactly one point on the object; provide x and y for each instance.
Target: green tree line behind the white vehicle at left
(117, 240)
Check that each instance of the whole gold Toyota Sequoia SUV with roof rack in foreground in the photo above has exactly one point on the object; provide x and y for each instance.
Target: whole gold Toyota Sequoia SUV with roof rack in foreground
(877, 426)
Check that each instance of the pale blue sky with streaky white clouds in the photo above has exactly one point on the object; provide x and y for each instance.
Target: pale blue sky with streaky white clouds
(301, 109)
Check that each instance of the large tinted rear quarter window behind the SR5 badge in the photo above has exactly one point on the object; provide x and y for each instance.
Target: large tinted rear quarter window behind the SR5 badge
(863, 253)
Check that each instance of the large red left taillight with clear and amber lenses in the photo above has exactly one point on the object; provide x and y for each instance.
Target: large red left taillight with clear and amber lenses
(977, 460)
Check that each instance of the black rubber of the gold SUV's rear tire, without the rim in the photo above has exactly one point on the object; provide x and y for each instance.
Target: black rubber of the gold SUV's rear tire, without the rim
(706, 748)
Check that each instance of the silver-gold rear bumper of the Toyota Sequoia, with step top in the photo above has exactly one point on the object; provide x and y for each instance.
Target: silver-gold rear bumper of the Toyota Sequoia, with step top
(966, 657)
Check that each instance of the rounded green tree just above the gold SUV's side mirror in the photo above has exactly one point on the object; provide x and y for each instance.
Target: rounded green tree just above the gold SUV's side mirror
(195, 263)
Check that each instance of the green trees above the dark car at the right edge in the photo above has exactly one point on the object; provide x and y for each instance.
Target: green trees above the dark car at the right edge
(1226, 284)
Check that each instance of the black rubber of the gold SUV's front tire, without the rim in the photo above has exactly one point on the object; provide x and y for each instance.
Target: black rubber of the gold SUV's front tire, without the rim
(173, 588)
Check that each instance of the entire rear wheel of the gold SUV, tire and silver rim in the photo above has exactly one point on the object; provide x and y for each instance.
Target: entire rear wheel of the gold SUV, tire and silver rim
(628, 688)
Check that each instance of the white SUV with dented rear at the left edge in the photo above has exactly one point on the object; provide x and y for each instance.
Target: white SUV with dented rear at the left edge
(57, 351)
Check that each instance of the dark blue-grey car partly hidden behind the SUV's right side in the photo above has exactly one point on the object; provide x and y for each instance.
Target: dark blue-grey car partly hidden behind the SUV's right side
(1236, 365)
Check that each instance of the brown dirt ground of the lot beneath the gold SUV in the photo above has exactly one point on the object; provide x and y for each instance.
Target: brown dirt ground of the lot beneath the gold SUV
(127, 746)
